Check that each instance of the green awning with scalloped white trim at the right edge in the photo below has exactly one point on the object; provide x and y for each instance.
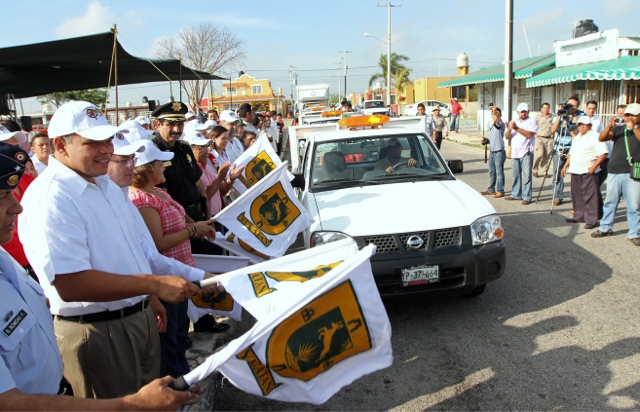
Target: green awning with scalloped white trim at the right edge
(624, 68)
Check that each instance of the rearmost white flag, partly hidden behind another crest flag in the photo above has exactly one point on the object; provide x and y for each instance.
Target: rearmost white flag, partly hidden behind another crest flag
(258, 161)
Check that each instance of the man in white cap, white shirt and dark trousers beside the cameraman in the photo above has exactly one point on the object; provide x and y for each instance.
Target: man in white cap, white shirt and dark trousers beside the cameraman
(585, 156)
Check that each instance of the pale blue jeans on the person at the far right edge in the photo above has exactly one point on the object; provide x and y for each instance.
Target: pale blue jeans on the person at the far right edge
(621, 184)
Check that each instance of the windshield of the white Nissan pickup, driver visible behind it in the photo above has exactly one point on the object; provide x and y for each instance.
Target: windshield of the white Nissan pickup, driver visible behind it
(376, 160)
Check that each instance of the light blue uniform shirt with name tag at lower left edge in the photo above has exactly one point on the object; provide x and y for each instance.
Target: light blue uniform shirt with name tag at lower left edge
(30, 358)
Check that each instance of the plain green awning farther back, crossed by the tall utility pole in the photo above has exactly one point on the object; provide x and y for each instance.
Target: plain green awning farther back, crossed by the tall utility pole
(522, 69)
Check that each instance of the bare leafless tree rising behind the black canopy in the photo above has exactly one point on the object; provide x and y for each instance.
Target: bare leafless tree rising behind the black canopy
(204, 47)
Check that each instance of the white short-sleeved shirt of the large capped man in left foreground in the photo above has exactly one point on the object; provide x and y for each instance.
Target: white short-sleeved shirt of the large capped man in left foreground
(70, 225)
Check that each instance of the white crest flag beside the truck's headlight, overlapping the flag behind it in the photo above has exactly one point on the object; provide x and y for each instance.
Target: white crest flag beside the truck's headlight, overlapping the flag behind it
(268, 216)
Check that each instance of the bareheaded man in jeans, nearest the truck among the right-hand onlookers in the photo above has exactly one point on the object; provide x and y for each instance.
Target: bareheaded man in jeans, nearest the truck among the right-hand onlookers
(497, 156)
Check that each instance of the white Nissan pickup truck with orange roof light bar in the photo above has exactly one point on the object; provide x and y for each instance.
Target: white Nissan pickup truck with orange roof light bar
(386, 183)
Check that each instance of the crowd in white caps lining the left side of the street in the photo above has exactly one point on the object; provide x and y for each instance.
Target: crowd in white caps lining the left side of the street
(105, 228)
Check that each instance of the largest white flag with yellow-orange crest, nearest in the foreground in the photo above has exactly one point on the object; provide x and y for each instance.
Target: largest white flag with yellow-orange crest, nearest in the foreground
(325, 333)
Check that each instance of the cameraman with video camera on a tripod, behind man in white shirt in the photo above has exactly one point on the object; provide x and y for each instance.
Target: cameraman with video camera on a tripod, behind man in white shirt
(565, 123)
